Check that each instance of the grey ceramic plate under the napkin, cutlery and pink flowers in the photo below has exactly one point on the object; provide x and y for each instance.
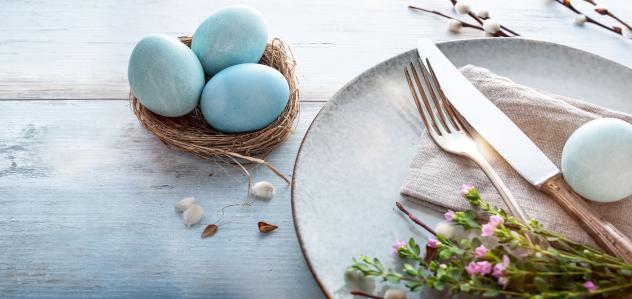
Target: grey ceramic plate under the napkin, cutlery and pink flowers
(355, 155)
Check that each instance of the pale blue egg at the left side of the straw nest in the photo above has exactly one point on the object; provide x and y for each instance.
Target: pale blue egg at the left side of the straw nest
(165, 75)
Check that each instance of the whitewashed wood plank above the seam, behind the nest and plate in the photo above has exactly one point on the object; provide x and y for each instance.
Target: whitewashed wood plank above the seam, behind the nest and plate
(79, 49)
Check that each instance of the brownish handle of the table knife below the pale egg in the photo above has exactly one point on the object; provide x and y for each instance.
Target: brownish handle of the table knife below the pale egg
(603, 232)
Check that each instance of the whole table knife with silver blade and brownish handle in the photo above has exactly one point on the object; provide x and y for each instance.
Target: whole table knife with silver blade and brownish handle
(519, 151)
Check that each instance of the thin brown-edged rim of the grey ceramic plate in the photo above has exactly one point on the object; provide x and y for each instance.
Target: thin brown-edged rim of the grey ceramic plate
(355, 79)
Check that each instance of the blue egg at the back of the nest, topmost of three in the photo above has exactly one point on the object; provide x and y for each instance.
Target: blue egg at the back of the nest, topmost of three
(230, 36)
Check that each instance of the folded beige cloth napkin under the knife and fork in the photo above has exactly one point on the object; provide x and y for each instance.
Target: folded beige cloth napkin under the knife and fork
(435, 176)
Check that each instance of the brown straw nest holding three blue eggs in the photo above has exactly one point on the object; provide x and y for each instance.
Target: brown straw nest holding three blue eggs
(191, 133)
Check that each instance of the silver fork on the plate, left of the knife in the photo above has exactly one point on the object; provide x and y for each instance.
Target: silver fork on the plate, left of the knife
(448, 132)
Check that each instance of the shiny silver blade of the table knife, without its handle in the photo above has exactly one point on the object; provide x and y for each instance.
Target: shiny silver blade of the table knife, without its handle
(491, 123)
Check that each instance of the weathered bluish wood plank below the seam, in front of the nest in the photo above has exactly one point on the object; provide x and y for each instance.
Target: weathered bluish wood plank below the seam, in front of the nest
(88, 211)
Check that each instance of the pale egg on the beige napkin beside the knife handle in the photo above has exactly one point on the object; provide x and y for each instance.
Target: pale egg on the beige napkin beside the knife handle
(597, 160)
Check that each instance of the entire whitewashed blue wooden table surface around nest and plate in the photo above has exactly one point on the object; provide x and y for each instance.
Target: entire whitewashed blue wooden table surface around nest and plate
(88, 194)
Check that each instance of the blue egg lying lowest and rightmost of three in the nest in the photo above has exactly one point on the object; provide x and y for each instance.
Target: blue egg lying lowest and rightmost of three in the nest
(244, 98)
